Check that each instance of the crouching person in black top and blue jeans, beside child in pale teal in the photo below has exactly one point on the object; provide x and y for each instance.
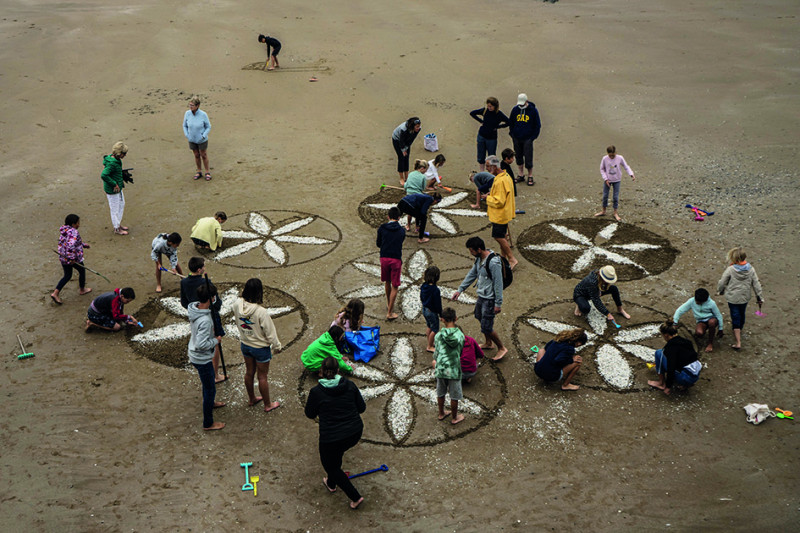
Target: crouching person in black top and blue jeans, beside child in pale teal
(676, 363)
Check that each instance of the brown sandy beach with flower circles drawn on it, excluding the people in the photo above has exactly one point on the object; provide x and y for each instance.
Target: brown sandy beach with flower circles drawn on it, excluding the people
(102, 432)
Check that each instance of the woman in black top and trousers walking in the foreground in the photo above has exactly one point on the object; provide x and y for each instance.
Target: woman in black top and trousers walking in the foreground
(338, 403)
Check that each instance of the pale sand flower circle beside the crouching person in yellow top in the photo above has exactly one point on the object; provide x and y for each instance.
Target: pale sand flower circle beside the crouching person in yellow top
(271, 239)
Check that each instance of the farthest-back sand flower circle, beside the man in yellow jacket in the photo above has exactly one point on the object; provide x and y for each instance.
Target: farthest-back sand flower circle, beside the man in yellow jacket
(452, 217)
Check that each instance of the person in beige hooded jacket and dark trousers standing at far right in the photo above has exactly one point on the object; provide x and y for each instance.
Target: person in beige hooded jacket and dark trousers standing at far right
(736, 284)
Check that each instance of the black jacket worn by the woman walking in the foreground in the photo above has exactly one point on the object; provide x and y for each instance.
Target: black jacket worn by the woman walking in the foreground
(339, 409)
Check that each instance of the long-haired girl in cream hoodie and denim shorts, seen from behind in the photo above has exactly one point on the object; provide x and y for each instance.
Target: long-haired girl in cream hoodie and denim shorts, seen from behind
(259, 340)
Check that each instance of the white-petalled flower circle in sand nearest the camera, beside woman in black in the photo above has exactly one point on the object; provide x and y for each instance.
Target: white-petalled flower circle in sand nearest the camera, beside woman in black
(400, 390)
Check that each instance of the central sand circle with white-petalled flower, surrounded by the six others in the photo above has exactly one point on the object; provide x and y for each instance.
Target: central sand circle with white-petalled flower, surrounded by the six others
(361, 278)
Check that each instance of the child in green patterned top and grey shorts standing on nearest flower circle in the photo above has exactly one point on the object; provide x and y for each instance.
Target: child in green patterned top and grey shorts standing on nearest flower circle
(449, 343)
